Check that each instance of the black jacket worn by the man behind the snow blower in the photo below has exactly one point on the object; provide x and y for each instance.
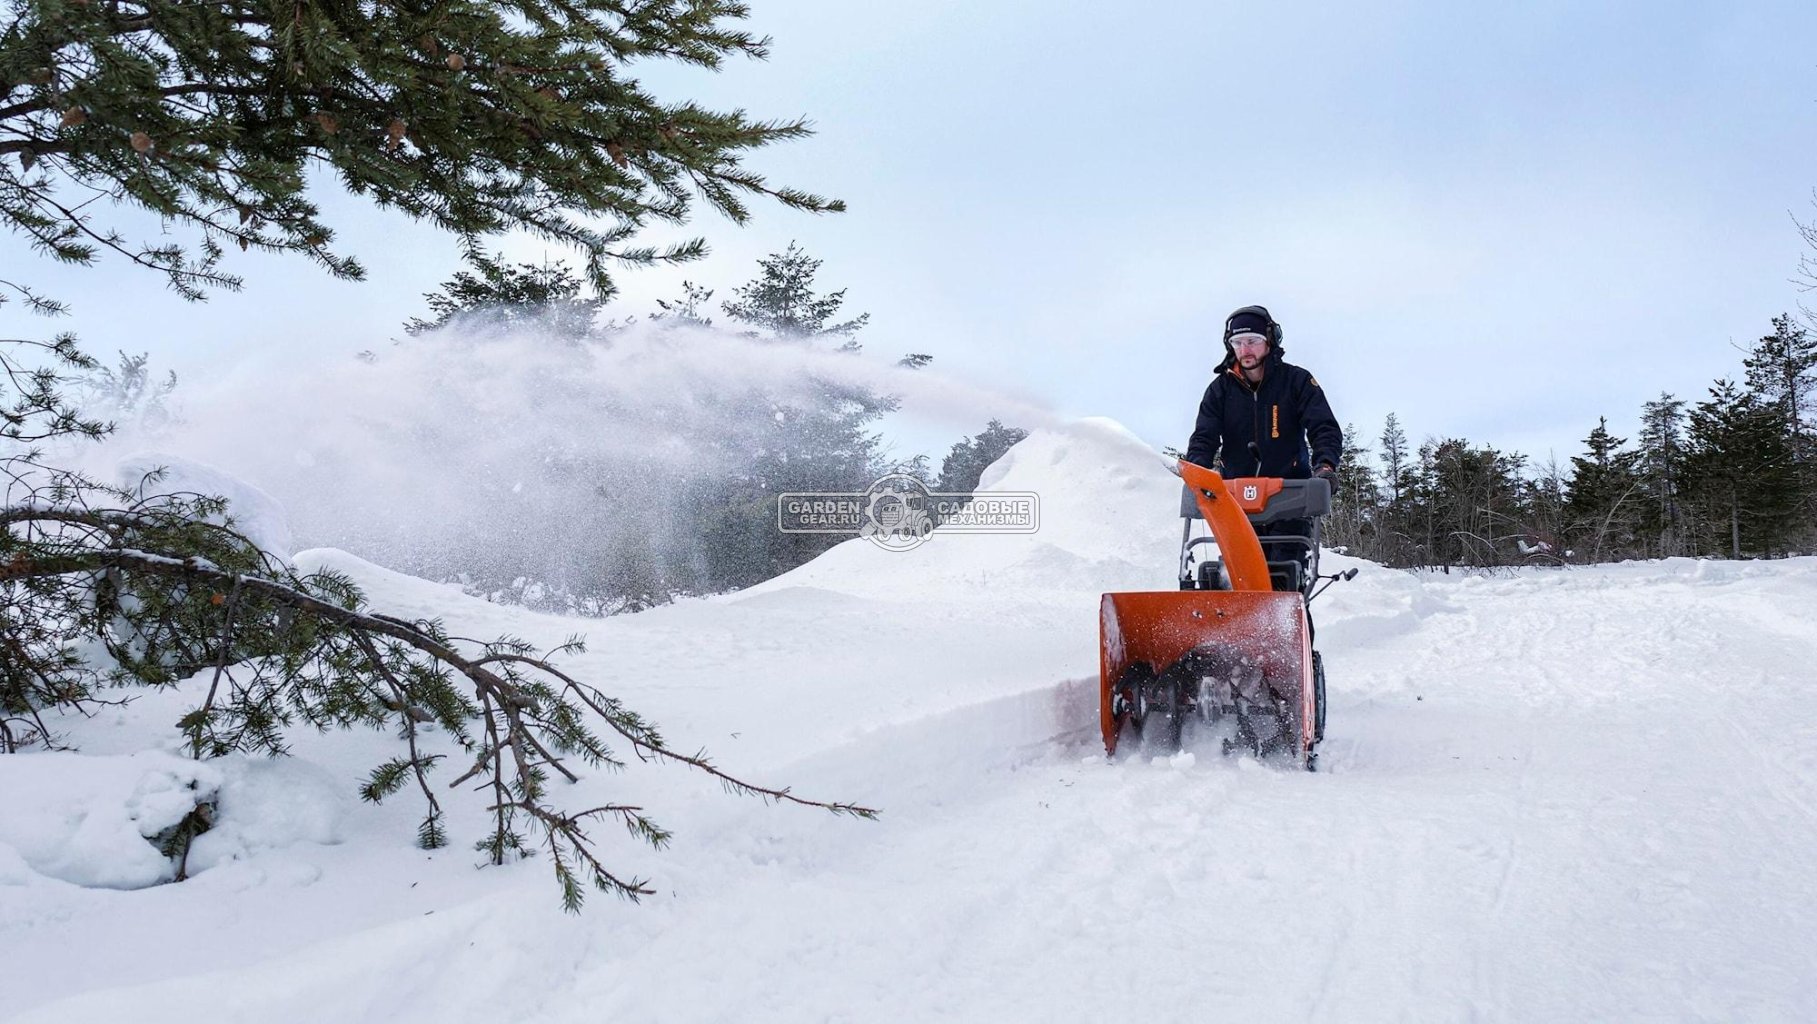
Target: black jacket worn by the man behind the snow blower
(1278, 417)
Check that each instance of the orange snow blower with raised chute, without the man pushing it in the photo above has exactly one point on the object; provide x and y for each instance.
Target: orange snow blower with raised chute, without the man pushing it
(1233, 647)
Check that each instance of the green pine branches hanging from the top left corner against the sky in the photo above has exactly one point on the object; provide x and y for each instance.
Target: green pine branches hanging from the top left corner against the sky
(504, 117)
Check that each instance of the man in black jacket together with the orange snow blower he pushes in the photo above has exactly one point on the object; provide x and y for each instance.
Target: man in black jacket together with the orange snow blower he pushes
(1231, 649)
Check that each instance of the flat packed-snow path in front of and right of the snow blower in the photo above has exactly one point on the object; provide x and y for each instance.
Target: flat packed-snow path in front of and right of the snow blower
(1573, 796)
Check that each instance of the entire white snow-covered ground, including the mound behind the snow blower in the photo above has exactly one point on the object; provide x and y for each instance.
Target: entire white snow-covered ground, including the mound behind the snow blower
(1549, 796)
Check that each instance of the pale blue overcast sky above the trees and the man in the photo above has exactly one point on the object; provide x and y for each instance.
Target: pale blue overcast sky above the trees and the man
(1496, 221)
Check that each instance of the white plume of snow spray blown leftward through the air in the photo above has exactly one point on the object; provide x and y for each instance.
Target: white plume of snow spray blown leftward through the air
(521, 460)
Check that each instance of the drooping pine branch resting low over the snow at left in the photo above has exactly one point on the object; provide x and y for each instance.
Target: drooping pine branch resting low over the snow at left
(312, 651)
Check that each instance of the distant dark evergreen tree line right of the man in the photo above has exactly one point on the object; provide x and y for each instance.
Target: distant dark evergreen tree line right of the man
(1729, 477)
